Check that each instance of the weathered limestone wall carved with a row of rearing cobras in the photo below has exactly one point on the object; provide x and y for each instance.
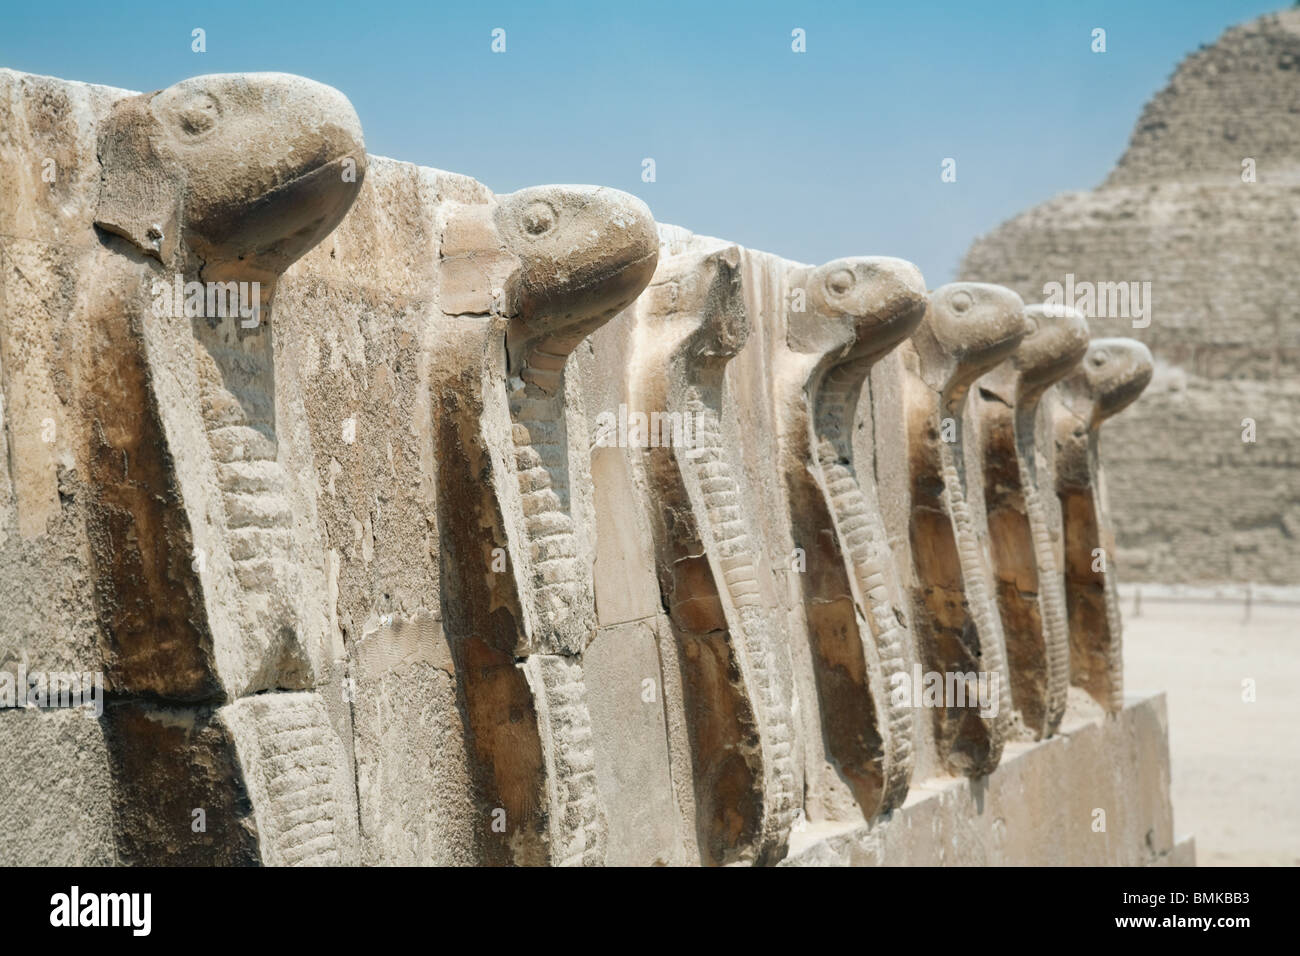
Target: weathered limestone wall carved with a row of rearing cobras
(370, 579)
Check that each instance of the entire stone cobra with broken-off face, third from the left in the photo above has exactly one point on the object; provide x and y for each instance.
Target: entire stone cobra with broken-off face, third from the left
(692, 322)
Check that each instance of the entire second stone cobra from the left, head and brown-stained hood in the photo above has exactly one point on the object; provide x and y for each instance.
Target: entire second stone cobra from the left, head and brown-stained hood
(532, 274)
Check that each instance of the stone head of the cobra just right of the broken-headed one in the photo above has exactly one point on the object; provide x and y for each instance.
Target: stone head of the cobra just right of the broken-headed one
(856, 309)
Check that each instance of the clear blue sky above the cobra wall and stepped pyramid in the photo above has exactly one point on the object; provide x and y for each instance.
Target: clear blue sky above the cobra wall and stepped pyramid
(816, 155)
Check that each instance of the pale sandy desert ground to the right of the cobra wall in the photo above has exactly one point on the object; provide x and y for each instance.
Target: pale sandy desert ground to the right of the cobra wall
(1236, 763)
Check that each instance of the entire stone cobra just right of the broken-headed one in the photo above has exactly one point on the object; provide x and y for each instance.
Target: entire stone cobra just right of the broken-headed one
(844, 317)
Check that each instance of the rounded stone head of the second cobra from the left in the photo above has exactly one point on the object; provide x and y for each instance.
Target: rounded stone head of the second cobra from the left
(584, 254)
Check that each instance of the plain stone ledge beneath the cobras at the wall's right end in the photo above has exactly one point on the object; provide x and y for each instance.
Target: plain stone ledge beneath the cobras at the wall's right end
(1037, 810)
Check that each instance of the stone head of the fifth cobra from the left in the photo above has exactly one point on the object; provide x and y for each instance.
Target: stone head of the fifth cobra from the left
(969, 328)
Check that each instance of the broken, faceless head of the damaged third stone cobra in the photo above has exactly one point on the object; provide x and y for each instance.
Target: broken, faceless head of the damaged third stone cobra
(699, 306)
